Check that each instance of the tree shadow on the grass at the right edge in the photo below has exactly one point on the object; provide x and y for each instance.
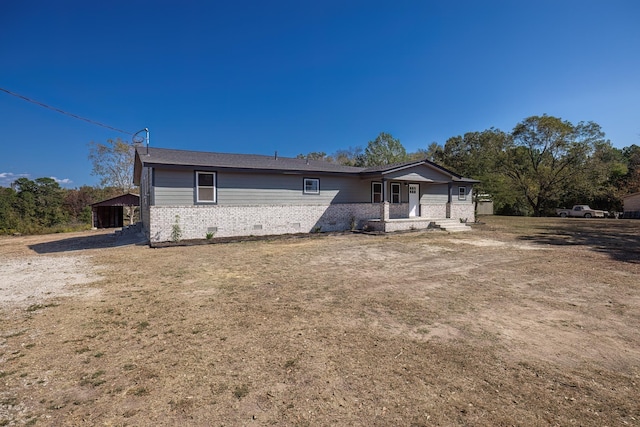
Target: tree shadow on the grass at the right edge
(617, 238)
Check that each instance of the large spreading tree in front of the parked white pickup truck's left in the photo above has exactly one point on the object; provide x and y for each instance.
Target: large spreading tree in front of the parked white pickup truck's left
(546, 155)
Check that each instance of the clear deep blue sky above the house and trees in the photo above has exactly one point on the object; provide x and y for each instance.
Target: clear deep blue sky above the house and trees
(299, 76)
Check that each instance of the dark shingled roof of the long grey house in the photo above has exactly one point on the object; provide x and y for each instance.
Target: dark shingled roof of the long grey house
(154, 157)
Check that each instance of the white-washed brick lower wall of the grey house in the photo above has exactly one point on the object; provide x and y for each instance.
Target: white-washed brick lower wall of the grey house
(195, 222)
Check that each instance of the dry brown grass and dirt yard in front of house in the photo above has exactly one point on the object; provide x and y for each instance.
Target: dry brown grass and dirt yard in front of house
(523, 321)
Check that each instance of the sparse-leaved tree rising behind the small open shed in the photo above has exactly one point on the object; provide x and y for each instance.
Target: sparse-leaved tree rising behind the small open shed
(113, 163)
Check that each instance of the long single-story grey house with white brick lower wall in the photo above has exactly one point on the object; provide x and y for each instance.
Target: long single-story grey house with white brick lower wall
(222, 194)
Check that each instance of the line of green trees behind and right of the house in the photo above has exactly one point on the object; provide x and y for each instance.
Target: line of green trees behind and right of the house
(543, 163)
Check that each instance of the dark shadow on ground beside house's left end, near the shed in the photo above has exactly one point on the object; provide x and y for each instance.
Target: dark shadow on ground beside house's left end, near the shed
(101, 241)
